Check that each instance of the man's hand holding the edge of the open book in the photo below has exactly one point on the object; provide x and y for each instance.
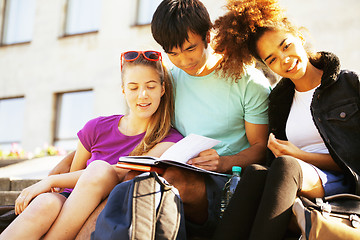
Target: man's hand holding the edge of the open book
(208, 159)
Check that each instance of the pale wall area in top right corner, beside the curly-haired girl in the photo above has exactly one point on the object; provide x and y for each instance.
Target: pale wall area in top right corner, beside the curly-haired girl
(333, 26)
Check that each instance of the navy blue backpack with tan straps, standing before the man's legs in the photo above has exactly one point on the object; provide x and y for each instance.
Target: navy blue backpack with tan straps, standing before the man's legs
(146, 207)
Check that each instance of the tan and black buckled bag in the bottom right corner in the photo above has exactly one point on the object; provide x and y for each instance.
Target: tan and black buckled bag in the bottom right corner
(334, 217)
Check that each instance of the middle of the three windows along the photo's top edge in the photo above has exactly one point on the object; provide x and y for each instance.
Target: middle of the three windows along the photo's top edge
(82, 16)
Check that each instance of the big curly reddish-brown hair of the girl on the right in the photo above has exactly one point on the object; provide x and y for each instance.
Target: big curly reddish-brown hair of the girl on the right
(239, 29)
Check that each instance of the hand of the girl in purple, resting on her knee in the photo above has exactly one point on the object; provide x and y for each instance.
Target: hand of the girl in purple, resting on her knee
(30, 193)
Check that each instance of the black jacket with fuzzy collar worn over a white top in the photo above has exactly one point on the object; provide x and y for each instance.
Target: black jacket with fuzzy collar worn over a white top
(335, 109)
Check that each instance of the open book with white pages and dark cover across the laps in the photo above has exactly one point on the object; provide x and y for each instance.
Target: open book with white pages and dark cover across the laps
(177, 155)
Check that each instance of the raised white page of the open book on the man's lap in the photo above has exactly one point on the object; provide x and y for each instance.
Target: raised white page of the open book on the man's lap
(188, 147)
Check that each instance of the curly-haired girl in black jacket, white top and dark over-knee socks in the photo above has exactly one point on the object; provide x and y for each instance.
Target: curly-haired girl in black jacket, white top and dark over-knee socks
(313, 121)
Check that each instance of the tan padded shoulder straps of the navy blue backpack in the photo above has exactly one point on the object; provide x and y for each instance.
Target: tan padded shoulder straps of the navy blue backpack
(156, 209)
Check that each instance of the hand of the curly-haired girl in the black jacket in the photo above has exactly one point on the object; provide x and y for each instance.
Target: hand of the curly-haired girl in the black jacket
(280, 147)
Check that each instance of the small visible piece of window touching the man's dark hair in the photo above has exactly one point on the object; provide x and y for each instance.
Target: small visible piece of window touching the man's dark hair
(145, 11)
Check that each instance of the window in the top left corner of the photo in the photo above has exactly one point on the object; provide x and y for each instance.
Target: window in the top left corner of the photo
(18, 21)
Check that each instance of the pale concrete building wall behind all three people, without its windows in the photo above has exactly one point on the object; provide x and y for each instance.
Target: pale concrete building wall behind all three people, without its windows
(52, 64)
